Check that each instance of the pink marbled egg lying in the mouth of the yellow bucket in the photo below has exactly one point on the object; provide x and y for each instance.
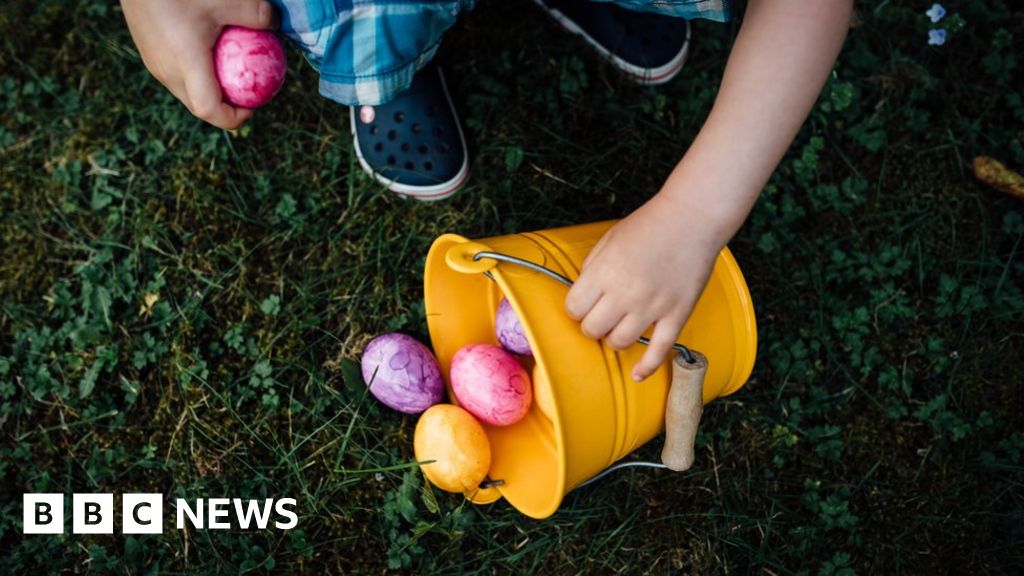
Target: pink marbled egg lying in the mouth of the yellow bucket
(491, 385)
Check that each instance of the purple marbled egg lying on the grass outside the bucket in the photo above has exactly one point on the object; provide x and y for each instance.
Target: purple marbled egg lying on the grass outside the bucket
(402, 374)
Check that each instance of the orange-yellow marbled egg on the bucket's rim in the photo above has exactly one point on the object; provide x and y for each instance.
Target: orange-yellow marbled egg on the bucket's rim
(457, 443)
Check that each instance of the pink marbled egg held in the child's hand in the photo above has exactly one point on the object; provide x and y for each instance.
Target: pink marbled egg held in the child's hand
(250, 66)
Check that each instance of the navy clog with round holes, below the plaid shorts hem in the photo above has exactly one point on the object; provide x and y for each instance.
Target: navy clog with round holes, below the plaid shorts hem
(414, 144)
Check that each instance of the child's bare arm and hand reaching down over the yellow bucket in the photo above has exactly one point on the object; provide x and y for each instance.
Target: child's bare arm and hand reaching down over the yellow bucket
(653, 266)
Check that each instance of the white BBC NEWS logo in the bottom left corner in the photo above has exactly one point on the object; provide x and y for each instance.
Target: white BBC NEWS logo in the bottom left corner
(144, 514)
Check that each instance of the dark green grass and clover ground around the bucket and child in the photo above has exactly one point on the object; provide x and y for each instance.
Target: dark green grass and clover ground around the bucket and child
(183, 308)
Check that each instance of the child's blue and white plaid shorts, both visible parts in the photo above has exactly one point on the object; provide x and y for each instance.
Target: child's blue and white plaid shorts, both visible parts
(367, 52)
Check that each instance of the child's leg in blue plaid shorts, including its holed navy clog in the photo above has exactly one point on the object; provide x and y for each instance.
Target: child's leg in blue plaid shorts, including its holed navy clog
(375, 57)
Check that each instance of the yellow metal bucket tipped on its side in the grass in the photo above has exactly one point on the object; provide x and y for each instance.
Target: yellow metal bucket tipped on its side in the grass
(598, 414)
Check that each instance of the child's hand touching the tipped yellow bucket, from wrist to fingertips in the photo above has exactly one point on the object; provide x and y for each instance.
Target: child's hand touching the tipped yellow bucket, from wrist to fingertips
(650, 269)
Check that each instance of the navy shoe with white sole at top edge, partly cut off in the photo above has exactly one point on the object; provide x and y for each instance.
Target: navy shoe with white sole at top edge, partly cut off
(650, 49)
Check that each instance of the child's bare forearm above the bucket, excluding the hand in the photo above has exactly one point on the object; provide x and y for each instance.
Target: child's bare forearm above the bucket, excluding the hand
(782, 58)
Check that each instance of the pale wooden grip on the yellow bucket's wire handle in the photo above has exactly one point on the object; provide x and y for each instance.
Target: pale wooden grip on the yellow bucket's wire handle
(682, 413)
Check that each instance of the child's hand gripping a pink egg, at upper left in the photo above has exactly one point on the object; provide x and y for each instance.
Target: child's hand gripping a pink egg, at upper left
(176, 39)
